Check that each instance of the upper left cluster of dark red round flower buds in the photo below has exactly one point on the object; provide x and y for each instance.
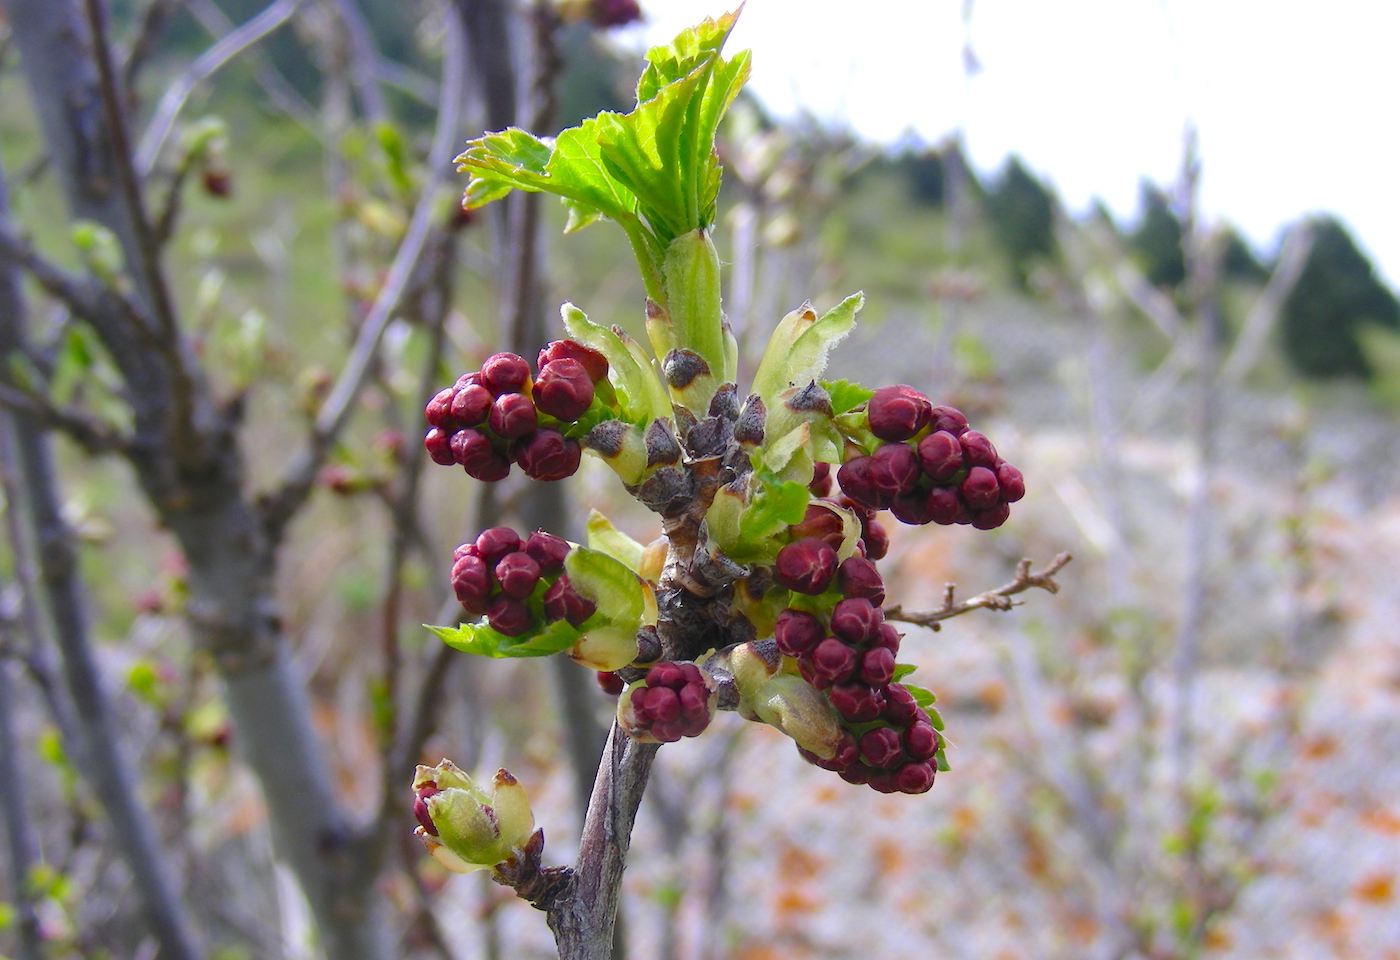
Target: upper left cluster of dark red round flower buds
(499, 415)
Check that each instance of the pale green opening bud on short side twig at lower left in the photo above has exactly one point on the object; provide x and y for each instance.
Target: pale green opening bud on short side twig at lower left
(467, 828)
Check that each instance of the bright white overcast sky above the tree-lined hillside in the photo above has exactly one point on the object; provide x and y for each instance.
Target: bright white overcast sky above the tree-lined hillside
(1296, 103)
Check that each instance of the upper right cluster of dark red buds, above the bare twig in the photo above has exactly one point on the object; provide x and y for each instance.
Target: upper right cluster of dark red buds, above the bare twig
(932, 468)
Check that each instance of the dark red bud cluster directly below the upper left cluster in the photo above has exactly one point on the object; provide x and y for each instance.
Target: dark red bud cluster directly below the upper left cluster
(499, 574)
